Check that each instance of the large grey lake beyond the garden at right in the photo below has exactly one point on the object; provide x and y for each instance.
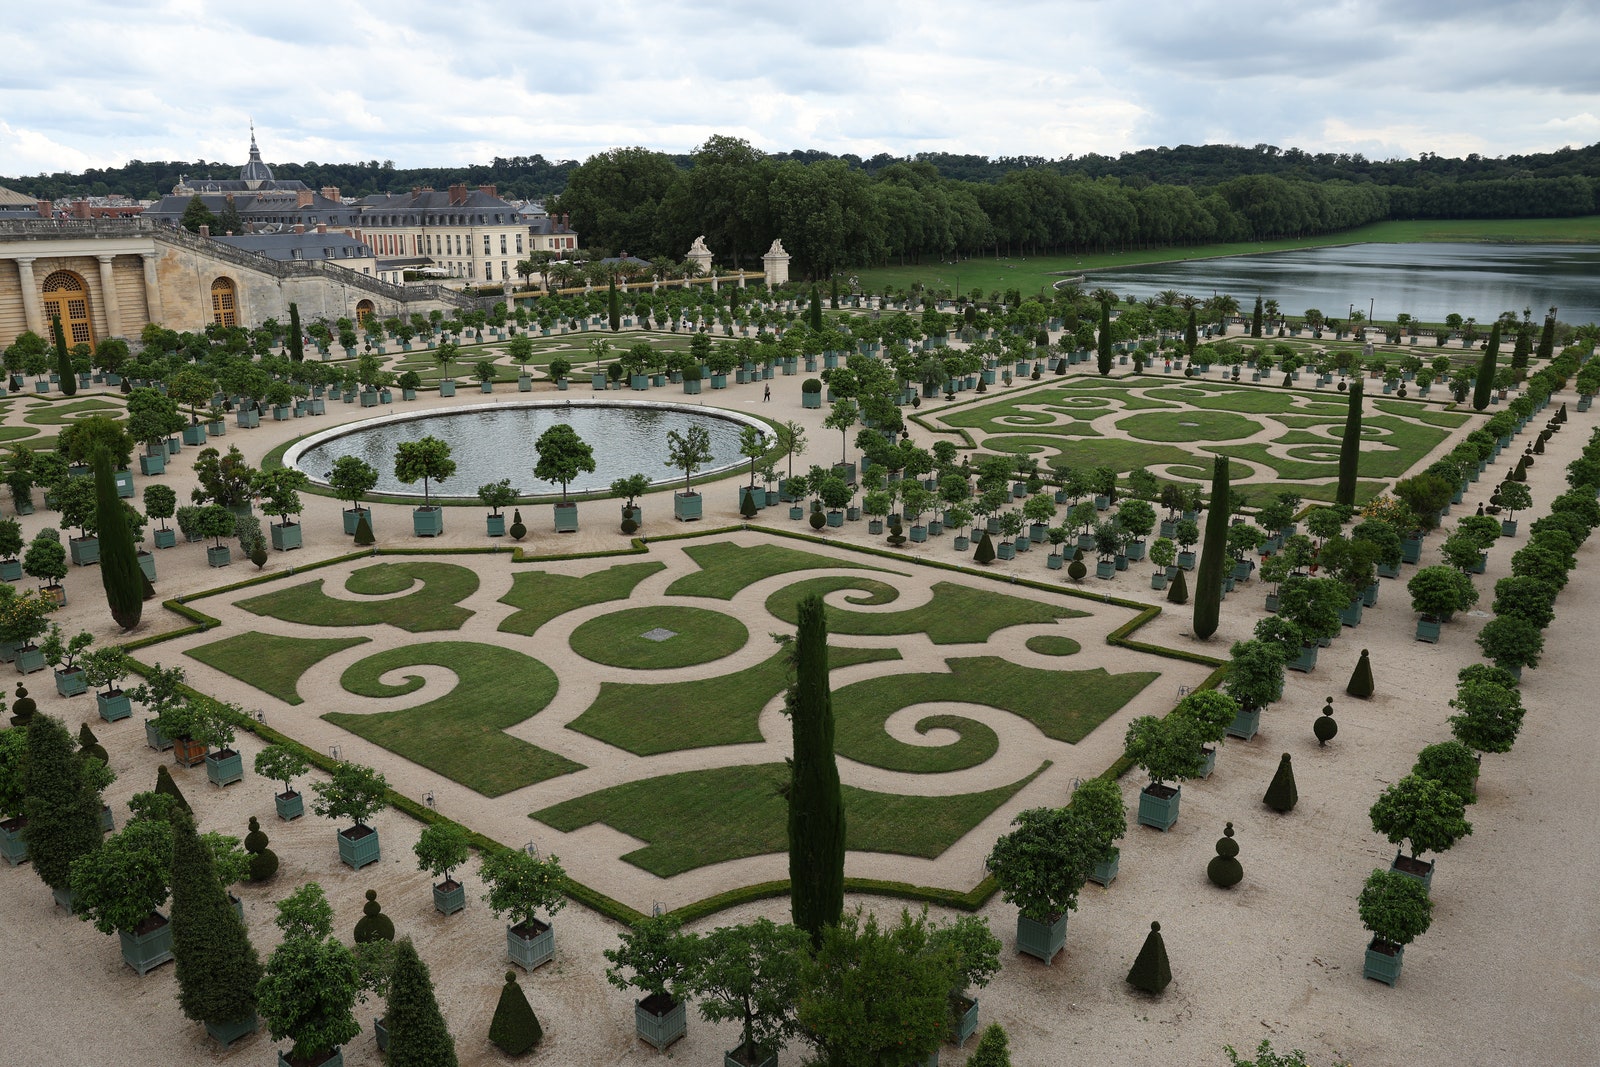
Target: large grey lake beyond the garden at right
(1425, 281)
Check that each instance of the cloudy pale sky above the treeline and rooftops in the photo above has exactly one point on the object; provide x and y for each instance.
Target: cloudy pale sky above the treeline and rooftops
(422, 82)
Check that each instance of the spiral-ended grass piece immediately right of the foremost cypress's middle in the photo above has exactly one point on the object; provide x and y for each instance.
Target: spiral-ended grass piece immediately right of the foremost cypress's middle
(1065, 705)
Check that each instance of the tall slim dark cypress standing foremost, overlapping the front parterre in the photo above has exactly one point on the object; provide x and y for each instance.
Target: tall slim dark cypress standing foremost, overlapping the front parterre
(817, 807)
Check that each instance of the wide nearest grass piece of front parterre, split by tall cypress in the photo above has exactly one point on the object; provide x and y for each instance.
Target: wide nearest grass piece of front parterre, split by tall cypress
(702, 818)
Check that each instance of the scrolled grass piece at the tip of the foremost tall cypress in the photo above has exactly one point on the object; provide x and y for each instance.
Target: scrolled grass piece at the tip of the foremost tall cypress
(958, 615)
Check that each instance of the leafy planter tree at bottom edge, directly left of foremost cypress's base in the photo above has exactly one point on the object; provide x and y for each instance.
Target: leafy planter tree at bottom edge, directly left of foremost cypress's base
(751, 975)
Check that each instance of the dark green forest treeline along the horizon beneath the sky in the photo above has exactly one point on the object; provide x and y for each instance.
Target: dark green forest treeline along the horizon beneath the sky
(842, 212)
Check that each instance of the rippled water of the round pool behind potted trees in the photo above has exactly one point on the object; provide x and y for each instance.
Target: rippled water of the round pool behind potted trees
(497, 441)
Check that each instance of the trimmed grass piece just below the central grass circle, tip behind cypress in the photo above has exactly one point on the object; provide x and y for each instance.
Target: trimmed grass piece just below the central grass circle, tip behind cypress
(650, 719)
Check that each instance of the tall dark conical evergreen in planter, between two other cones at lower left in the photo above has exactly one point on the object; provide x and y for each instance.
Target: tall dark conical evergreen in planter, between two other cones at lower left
(217, 967)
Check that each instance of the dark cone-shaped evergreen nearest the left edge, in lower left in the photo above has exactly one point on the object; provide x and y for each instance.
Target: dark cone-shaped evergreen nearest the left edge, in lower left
(60, 802)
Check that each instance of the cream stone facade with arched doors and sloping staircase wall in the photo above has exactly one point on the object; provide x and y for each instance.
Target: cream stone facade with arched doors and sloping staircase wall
(113, 278)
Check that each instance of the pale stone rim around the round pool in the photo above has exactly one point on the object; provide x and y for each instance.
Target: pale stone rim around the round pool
(298, 449)
